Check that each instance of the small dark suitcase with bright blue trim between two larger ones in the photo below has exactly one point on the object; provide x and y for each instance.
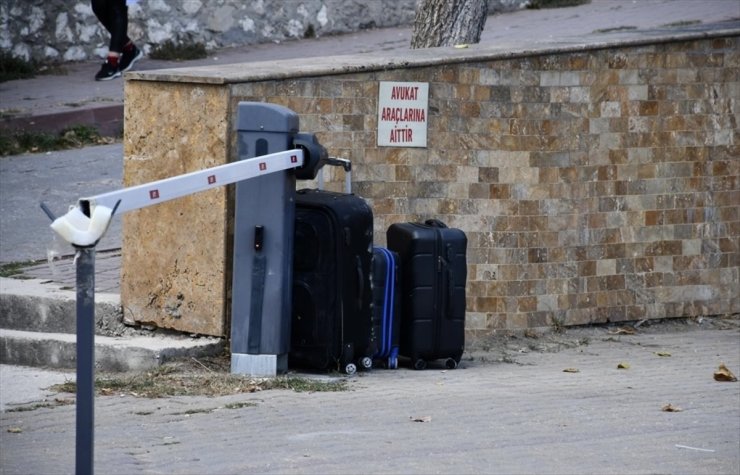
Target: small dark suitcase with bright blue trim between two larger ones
(386, 306)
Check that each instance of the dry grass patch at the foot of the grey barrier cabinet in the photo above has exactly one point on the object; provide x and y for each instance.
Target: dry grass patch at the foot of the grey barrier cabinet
(173, 380)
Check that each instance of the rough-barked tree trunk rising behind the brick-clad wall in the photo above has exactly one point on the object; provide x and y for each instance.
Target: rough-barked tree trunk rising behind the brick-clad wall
(448, 22)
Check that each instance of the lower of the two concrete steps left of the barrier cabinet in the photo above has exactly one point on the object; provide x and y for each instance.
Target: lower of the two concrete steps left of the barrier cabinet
(58, 350)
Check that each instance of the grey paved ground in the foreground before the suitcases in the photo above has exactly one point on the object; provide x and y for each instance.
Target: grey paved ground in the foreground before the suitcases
(526, 417)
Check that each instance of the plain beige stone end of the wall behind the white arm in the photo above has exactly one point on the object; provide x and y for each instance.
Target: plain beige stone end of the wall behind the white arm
(175, 265)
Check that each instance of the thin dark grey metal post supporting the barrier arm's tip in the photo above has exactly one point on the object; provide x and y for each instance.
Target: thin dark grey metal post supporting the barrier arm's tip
(85, 359)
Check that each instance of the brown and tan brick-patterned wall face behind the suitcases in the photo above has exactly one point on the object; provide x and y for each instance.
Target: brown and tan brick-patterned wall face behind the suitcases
(595, 184)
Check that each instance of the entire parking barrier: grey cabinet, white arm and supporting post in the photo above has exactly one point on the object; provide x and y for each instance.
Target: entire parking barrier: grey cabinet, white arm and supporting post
(272, 155)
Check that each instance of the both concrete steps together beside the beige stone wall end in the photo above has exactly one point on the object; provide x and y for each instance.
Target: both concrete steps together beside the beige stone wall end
(38, 328)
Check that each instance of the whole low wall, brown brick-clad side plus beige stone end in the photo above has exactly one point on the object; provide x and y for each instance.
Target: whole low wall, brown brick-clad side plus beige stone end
(595, 184)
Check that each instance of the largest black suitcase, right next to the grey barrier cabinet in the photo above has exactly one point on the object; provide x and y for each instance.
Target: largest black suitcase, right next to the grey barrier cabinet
(331, 312)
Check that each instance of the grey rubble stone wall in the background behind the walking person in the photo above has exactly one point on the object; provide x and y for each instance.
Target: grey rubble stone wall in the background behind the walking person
(68, 30)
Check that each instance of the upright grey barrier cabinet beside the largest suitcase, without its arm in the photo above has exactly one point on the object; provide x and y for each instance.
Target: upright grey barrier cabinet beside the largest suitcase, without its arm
(263, 240)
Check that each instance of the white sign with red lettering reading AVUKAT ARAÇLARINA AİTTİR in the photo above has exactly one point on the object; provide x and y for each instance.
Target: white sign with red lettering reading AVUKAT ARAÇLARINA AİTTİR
(403, 108)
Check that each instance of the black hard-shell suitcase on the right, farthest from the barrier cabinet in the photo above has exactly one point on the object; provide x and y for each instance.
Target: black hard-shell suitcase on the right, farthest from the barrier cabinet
(433, 286)
